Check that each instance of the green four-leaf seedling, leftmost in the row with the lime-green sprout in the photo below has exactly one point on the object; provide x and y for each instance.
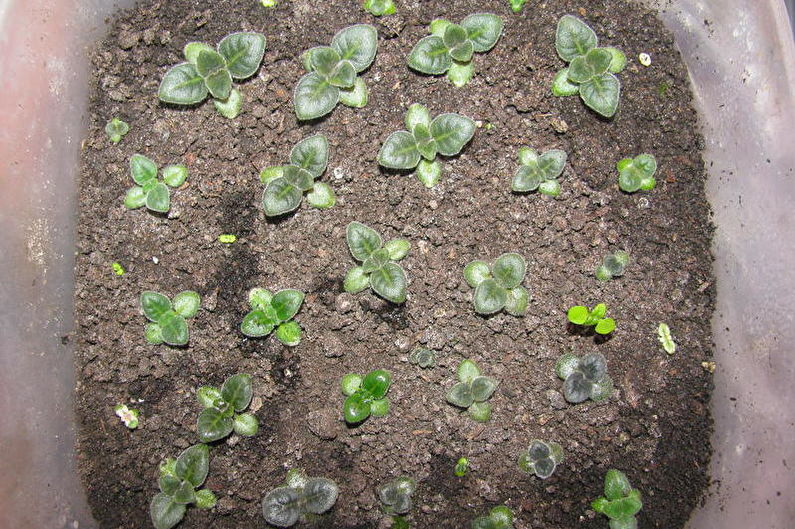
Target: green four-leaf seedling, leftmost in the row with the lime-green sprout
(168, 318)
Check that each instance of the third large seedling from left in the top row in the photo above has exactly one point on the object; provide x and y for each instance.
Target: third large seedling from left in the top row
(450, 47)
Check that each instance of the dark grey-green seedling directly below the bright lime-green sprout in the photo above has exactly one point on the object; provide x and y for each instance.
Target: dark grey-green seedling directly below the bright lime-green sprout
(584, 377)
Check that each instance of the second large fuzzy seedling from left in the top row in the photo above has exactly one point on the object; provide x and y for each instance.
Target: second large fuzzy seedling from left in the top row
(333, 73)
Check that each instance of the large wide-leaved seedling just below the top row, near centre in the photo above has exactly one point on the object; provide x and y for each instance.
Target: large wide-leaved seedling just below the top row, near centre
(418, 146)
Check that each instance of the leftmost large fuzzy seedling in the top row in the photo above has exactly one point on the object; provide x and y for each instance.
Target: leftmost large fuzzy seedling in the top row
(211, 72)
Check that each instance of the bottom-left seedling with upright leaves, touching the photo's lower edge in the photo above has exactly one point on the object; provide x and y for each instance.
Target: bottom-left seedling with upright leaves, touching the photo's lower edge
(179, 482)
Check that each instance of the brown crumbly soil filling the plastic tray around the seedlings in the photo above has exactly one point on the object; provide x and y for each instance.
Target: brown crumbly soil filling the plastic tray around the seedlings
(655, 427)
